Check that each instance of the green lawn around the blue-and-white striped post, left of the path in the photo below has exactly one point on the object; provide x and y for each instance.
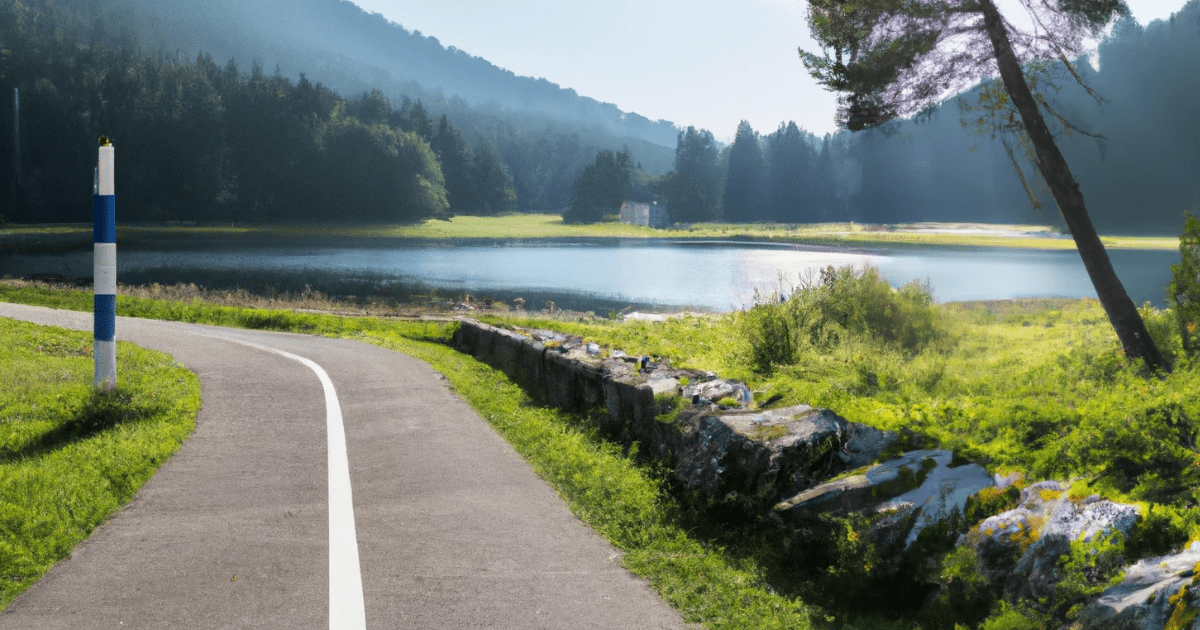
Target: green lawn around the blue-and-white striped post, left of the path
(71, 457)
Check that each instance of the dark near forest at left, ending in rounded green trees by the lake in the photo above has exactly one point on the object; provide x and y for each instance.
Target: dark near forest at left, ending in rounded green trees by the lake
(199, 141)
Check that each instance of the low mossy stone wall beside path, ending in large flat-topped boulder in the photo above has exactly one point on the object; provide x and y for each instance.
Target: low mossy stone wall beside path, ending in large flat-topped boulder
(758, 458)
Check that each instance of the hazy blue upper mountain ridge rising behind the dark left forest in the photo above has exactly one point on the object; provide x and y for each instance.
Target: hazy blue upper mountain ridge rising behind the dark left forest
(544, 134)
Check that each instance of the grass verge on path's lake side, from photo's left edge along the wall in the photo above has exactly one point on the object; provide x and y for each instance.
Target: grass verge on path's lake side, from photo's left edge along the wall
(711, 584)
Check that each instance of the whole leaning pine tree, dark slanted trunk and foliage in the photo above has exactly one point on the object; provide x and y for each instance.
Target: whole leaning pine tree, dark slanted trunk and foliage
(896, 58)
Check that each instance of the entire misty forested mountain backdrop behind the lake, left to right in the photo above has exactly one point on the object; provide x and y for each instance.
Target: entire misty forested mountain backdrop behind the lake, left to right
(328, 136)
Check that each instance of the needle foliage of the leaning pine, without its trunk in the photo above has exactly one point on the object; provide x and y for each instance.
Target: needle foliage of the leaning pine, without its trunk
(896, 58)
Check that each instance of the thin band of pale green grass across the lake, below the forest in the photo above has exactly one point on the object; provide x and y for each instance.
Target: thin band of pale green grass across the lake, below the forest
(553, 227)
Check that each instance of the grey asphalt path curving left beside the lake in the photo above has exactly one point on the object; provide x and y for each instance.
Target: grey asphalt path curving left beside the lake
(453, 529)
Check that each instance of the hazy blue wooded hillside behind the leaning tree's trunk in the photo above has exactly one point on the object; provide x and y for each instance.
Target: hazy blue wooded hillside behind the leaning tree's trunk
(1135, 145)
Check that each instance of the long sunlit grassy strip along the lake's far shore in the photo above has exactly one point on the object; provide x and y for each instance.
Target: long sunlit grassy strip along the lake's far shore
(32, 238)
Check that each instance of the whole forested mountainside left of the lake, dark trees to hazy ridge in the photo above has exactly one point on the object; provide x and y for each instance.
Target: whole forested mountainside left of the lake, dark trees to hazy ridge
(253, 136)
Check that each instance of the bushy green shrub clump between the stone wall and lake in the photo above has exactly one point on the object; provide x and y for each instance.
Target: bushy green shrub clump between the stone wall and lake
(838, 307)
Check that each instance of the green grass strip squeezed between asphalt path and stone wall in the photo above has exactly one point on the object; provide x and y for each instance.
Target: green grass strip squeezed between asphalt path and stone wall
(623, 502)
